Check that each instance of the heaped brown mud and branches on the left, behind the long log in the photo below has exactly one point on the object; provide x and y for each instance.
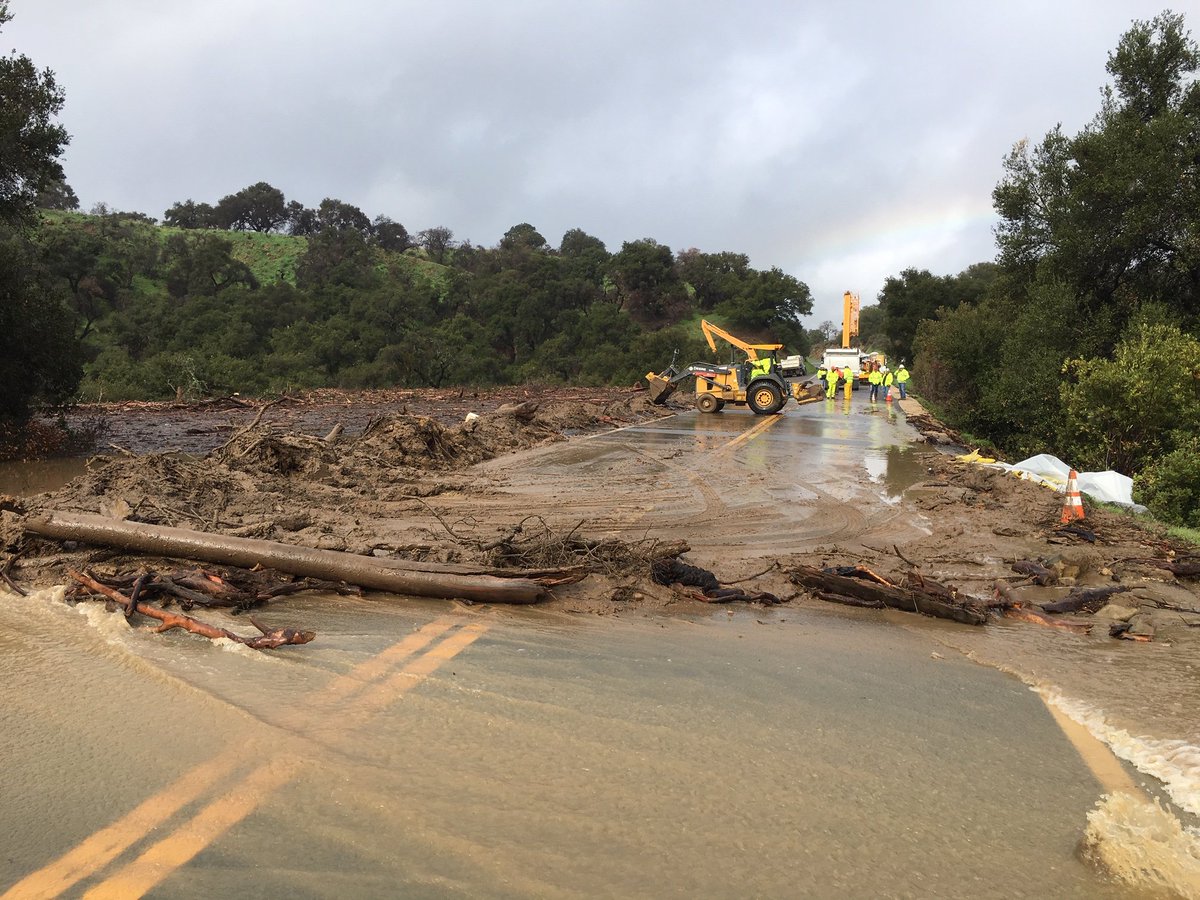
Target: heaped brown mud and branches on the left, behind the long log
(352, 493)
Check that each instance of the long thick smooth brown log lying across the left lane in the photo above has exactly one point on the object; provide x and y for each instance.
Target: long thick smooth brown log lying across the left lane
(388, 575)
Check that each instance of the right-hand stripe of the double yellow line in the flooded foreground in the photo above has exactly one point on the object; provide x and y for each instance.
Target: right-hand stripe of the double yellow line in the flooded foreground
(185, 843)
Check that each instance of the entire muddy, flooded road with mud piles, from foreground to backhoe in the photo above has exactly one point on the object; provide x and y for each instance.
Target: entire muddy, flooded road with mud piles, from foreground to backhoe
(623, 739)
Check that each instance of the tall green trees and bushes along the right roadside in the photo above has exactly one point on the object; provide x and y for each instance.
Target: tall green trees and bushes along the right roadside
(1083, 338)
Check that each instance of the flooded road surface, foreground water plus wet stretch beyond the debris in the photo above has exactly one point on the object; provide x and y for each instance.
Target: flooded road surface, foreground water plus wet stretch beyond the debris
(425, 749)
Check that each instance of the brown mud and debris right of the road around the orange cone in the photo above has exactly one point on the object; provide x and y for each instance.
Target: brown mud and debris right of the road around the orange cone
(999, 544)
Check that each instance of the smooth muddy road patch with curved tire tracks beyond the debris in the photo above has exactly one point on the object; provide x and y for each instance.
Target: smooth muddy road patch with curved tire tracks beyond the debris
(713, 501)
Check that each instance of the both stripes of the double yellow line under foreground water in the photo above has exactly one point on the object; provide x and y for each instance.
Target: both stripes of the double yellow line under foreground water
(368, 689)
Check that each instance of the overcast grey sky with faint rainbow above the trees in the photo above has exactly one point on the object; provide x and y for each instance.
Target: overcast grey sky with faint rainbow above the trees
(842, 142)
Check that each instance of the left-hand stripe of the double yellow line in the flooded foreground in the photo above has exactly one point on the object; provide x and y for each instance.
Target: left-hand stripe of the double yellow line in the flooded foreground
(106, 845)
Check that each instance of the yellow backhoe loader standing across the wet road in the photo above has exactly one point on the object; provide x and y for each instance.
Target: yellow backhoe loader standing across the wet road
(758, 382)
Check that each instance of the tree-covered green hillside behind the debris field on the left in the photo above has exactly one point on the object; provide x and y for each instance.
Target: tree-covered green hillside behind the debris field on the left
(170, 311)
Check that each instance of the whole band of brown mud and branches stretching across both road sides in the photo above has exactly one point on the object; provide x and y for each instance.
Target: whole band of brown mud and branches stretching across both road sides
(423, 478)
